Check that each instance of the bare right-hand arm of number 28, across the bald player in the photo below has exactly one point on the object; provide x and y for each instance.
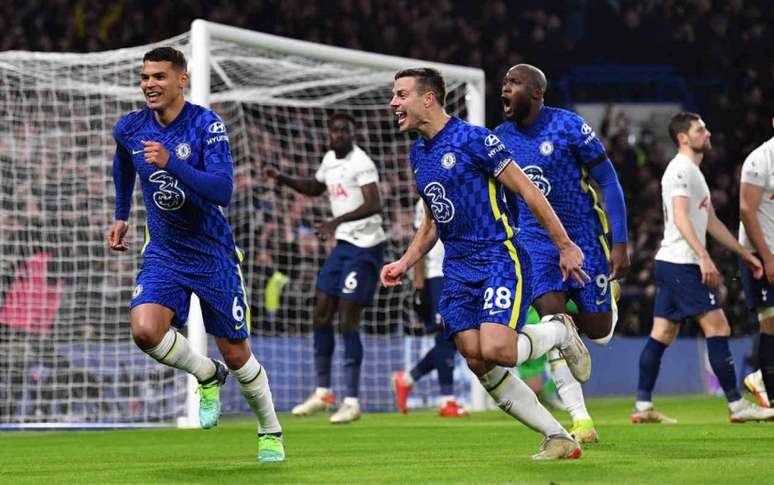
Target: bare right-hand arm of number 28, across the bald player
(570, 255)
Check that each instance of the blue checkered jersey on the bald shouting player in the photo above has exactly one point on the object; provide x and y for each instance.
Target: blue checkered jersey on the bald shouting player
(556, 152)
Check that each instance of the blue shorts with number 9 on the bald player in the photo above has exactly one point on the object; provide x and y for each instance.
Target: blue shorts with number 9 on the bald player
(594, 296)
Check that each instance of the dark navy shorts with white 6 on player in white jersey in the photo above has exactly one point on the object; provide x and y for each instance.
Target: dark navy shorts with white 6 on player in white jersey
(351, 272)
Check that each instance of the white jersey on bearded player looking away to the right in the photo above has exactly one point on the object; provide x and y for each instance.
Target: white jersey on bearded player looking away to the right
(683, 178)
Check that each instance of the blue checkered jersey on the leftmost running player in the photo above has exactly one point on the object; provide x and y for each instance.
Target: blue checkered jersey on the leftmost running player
(185, 230)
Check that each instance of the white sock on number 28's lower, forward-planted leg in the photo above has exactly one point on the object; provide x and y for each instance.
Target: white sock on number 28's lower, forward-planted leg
(514, 397)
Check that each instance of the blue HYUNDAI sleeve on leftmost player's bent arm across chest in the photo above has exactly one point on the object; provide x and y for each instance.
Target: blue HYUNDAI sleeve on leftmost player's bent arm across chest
(216, 182)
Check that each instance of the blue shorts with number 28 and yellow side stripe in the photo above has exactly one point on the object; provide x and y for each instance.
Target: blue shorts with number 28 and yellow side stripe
(476, 291)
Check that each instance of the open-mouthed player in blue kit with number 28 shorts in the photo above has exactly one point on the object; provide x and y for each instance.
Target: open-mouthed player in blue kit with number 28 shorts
(460, 171)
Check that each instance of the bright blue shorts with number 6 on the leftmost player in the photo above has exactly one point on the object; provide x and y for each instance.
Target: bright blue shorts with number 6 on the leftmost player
(221, 294)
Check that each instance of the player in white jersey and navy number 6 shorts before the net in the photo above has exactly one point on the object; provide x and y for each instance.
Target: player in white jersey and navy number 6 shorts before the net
(348, 278)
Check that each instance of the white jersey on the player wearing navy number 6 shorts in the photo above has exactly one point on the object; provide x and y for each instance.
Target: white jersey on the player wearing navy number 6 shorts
(343, 178)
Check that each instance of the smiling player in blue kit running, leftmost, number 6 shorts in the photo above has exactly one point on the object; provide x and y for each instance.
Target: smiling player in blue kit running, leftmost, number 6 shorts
(181, 153)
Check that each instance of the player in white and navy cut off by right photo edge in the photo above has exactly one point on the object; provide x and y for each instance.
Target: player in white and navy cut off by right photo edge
(756, 233)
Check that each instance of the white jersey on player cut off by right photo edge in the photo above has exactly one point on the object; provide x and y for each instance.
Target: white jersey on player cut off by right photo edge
(758, 169)
